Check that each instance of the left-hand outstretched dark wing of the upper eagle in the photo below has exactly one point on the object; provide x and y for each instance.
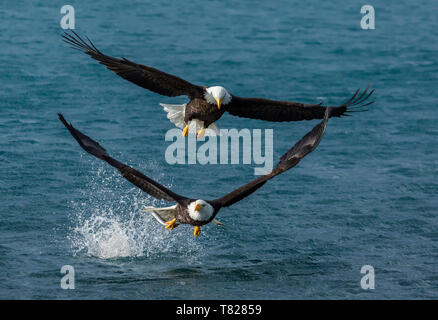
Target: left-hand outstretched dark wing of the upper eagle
(143, 76)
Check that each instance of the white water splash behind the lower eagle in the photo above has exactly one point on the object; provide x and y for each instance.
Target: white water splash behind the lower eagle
(109, 223)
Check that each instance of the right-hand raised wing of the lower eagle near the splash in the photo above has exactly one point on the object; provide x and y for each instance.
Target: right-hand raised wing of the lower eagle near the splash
(289, 160)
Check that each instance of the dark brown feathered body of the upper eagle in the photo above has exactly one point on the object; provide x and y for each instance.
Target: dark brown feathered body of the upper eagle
(199, 108)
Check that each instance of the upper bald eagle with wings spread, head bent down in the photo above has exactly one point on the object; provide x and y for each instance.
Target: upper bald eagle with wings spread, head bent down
(208, 104)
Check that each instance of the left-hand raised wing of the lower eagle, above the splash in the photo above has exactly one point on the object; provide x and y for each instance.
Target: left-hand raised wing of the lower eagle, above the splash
(143, 182)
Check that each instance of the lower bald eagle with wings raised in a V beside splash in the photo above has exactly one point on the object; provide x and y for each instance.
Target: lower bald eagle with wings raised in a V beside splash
(198, 212)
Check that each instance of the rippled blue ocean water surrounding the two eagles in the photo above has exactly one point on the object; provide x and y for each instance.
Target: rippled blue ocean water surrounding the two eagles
(366, 196)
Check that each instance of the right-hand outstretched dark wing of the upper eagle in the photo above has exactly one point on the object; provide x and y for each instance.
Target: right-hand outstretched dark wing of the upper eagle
(279, 111)
